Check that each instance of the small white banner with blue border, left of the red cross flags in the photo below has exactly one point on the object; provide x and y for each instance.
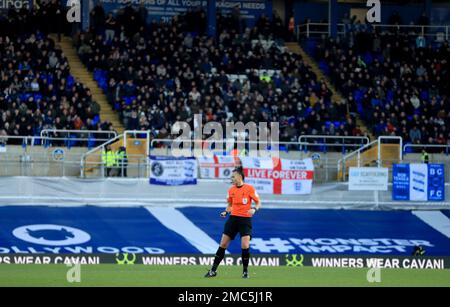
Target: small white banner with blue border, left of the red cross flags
(173, 171)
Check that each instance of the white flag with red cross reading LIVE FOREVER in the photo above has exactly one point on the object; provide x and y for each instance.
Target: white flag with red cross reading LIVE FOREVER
(279, 176)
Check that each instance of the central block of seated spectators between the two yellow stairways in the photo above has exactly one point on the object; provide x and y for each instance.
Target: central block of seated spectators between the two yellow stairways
(157, 73)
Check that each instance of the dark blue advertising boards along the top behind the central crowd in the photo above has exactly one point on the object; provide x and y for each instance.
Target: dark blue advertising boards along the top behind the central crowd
(250, 10)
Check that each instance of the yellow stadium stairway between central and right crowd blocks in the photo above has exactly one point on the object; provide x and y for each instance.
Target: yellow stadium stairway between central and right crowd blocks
(336, 96)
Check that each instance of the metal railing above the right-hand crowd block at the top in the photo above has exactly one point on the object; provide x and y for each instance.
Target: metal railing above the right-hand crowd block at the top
(316, 29)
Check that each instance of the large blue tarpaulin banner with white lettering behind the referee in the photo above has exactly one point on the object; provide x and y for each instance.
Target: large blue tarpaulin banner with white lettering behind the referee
(194, 230)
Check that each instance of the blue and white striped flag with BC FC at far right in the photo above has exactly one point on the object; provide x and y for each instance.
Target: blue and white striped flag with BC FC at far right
(418, 182)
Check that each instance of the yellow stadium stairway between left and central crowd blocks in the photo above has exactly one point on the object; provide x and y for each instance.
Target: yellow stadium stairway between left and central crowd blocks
(80, 73)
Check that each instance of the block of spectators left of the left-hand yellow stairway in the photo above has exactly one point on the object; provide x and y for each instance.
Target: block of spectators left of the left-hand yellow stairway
(37, 90)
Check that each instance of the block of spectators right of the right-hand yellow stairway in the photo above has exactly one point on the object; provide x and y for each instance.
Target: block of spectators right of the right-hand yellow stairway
(397, 82)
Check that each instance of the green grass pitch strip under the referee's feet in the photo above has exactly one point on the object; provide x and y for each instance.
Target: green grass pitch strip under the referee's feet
(179, 276)
